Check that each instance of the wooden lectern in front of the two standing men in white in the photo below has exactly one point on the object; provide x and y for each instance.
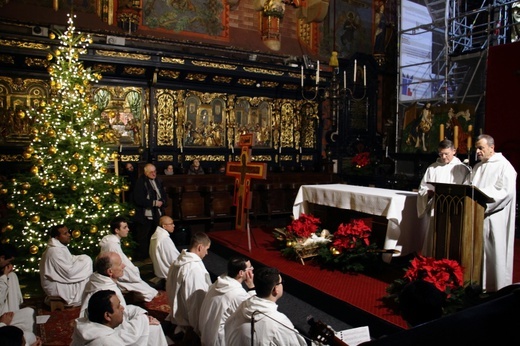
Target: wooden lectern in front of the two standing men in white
(458, 231)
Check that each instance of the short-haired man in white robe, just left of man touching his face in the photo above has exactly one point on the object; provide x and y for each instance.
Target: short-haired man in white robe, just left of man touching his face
(187, 284)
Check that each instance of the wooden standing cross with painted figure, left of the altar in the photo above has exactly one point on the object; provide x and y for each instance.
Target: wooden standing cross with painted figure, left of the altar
(244, 171)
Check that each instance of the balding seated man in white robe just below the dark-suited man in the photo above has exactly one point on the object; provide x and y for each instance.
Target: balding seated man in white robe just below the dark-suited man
(162, 249)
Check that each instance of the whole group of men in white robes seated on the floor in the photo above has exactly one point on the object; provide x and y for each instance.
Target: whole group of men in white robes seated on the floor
(109, 294)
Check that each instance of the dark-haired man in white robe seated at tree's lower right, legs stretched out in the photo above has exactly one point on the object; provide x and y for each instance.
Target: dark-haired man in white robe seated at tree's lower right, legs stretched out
(131, 280)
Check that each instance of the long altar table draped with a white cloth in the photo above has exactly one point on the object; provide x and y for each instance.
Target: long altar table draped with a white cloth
(405, 231)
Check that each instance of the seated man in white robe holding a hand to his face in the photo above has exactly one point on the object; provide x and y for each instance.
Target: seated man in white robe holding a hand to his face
(223, 298)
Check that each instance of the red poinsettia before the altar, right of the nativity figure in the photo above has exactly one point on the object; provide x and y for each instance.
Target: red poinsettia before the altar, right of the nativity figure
(351, 235)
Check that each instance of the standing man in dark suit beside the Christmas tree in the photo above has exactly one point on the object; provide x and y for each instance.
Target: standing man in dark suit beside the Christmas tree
(150, 200)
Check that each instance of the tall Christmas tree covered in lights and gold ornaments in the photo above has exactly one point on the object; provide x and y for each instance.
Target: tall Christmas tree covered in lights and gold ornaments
(68, 181)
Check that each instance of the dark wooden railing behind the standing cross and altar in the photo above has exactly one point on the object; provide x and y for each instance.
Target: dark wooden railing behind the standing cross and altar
(208, 198)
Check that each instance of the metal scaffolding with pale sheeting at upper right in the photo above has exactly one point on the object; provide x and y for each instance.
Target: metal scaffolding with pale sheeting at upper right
(461, 33)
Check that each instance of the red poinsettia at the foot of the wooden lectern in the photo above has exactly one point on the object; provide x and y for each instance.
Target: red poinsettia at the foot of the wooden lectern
(445, 274)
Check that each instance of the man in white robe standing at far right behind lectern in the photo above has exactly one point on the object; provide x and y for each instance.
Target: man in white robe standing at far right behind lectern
(496, 177)
